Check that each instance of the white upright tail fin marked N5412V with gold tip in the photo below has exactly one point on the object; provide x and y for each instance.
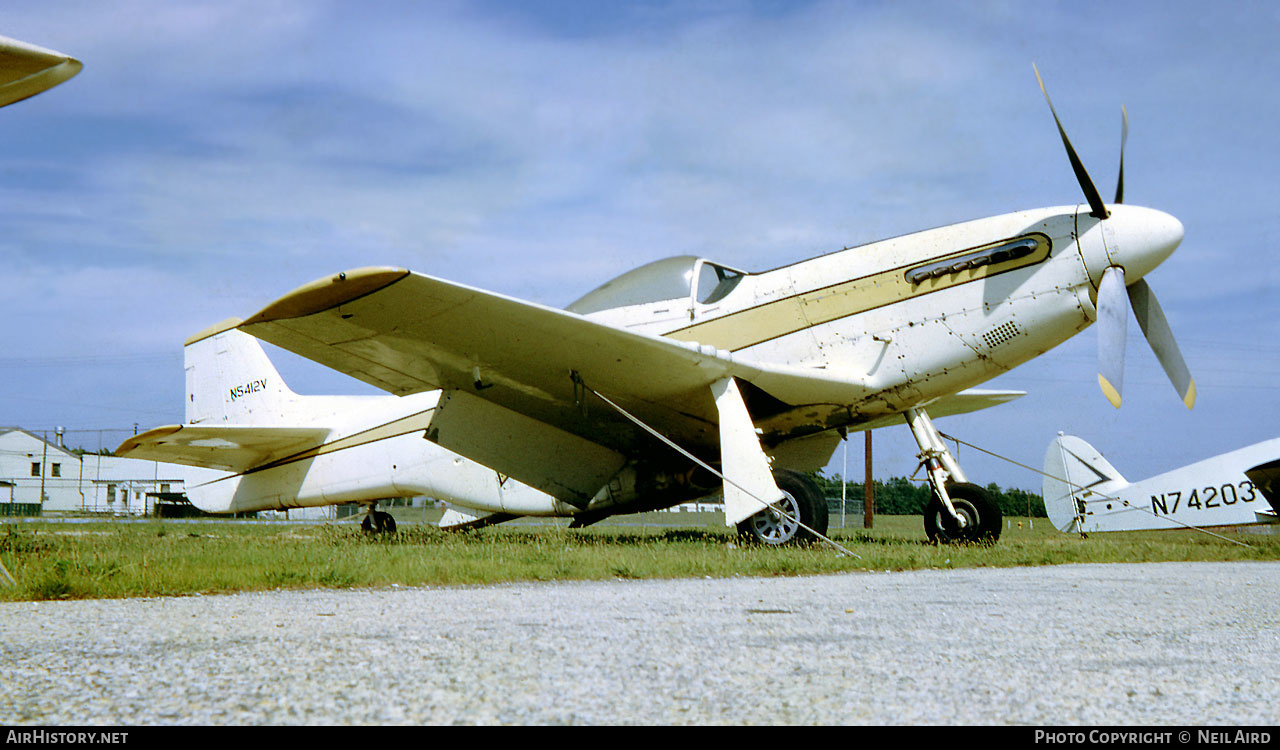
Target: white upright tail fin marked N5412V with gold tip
(231, 381)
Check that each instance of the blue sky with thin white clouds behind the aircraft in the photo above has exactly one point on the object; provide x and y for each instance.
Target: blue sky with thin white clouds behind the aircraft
(216, 156)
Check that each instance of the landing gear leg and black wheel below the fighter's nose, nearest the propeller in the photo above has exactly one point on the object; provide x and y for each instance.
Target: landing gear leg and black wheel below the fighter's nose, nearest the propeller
(958, 511)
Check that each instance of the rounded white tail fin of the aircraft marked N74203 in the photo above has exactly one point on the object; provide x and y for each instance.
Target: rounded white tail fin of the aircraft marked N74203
(1076, 472)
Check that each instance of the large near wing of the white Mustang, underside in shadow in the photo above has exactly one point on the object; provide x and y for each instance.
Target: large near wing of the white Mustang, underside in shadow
(406, 333)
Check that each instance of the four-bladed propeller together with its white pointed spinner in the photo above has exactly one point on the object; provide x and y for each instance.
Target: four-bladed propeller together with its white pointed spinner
(1146, 239)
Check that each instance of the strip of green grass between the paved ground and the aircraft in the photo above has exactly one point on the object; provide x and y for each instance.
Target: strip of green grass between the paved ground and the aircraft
(158, 559)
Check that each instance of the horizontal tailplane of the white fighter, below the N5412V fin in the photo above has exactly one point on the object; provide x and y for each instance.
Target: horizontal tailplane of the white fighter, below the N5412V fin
(230, 449)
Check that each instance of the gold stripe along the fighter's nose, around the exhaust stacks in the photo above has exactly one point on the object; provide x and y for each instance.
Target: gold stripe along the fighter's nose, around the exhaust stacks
(755, 326)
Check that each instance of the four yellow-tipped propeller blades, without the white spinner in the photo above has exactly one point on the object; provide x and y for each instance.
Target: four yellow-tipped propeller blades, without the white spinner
(1117, 298)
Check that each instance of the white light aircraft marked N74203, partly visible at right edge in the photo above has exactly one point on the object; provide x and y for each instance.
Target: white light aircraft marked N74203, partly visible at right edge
(1084, 493)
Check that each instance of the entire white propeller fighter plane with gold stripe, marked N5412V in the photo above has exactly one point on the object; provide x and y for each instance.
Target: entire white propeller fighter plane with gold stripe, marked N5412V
(680, 379)
